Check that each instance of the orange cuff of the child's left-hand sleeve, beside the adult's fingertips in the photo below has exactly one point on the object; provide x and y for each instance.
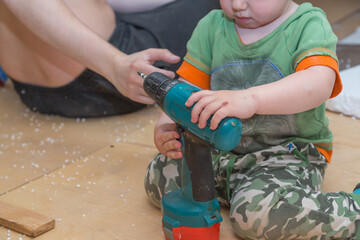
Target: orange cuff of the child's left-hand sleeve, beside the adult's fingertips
(194, 75)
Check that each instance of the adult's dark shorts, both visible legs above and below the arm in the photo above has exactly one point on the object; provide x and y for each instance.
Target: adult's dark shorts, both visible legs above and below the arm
(90, 94)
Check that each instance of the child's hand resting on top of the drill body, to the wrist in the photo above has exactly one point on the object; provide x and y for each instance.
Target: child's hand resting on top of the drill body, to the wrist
(220, 104)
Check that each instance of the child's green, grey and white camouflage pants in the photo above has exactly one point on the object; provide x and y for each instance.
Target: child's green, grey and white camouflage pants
(272, 194)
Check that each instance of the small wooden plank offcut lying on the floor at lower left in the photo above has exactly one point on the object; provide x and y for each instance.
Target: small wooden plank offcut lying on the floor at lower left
(23, 220)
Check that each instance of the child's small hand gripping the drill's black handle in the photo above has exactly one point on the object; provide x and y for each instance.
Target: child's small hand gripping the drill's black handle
(166, 138)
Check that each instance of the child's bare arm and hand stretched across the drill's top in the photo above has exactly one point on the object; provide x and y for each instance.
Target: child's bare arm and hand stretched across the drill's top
(304, 89)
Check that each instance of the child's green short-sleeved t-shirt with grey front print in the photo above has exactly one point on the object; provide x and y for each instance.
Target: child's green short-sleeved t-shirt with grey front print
(216, 49)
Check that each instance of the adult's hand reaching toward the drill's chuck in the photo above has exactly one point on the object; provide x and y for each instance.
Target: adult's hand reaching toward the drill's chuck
(126, 78)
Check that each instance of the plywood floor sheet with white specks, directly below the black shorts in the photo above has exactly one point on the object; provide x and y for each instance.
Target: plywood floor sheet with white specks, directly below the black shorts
(33, 144)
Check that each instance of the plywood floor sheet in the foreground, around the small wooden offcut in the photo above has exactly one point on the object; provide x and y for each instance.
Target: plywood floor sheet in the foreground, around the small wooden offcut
(99, 197)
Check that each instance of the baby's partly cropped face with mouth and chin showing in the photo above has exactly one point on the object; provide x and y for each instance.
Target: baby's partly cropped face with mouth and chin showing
(254, 13)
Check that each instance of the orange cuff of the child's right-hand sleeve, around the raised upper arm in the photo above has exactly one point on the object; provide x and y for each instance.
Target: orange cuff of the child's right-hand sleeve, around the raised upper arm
(324, 61)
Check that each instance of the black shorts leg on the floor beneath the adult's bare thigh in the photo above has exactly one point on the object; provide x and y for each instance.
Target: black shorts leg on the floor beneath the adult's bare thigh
(89, 95)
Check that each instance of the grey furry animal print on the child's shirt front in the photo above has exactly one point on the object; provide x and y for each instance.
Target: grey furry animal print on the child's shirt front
(260, 131)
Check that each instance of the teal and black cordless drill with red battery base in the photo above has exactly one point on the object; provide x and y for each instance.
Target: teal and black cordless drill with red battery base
(192, 212)
